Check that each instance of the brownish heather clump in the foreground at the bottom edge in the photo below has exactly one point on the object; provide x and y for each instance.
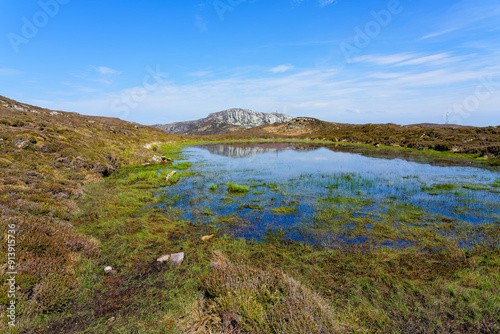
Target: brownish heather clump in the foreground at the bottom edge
(244, 299)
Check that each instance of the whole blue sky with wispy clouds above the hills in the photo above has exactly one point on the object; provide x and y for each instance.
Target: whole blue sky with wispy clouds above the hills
(387, 61)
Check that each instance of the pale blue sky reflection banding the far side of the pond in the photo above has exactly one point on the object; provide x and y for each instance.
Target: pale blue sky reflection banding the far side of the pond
(287, 163)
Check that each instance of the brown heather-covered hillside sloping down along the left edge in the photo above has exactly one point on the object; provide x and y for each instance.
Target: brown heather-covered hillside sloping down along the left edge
(46, 157)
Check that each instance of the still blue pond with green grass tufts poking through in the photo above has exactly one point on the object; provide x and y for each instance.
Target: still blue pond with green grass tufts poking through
(290, 184)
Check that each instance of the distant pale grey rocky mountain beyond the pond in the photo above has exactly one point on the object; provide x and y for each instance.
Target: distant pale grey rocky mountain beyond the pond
(224, 121)
